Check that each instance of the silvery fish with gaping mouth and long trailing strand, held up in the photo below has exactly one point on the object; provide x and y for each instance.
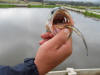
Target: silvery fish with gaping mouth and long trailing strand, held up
(60, 19)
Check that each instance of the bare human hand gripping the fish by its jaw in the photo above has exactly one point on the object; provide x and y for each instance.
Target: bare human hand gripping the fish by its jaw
(53, 51)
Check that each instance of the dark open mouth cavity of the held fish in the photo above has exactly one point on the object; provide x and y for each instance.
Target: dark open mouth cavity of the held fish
(60, 20)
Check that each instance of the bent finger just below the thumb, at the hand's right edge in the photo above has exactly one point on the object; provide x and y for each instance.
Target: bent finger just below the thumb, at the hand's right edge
(65, 50)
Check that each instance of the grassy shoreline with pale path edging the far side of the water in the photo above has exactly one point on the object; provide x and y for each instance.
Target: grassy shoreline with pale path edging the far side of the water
(80, 9)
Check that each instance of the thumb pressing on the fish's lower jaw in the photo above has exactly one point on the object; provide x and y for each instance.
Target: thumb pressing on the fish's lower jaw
(59, 39)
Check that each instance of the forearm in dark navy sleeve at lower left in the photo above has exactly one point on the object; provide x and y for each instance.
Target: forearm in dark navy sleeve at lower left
(26, 68)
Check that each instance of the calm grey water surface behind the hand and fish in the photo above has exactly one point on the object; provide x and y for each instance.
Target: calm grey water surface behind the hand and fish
(20, 30)
